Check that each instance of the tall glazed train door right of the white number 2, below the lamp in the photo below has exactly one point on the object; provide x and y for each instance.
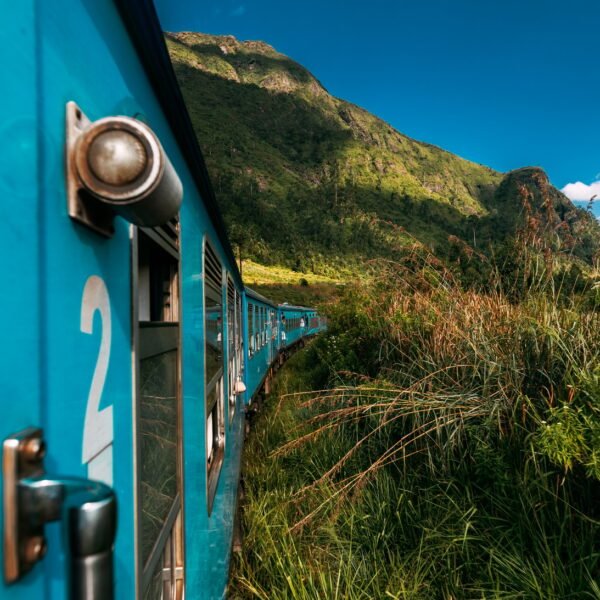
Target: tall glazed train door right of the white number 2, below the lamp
(158, 427)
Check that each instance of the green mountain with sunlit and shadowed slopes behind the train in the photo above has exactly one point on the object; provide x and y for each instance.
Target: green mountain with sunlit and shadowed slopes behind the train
(312, 181)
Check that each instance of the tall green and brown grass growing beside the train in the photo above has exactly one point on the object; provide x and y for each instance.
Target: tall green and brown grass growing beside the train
(454, 454)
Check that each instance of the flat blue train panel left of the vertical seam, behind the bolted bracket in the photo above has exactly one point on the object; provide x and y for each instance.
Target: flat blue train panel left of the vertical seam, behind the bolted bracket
(21, 245)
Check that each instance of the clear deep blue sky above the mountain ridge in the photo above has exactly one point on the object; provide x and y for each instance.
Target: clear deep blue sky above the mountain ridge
(505, 83)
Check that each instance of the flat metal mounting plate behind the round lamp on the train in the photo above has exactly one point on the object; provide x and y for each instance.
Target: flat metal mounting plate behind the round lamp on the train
(81, 205)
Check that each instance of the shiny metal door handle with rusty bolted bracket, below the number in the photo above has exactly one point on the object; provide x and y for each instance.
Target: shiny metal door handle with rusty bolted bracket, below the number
(87, 509)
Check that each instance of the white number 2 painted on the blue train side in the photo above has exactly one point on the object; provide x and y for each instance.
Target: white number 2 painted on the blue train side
(98, 425)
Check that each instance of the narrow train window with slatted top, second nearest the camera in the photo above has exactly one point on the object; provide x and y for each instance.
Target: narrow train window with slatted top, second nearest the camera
(213, 369)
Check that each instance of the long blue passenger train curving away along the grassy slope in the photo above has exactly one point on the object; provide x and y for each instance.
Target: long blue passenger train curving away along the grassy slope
(132, 346)
